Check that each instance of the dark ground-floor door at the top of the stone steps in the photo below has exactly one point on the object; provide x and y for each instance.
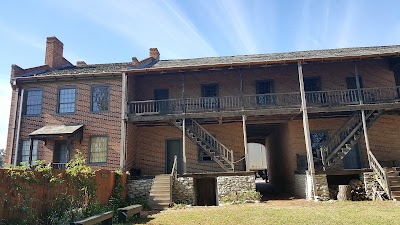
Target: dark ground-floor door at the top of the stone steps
(174, 148)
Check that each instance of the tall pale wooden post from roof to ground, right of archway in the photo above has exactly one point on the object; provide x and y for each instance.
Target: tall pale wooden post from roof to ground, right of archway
(306, 128)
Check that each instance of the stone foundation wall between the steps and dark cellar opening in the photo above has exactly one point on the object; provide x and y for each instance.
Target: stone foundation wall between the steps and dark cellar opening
(183, 190)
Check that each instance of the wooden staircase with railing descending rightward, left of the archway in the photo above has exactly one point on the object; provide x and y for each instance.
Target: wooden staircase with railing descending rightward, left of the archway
(215, 149)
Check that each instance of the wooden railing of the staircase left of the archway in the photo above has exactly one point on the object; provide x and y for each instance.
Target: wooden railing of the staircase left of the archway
(212, 142)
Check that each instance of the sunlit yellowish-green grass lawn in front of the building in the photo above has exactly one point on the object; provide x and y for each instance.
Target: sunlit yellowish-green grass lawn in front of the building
(282, 212)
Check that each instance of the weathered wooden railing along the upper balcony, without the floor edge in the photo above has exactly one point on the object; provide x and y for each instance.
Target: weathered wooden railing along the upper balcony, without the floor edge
(264, 101)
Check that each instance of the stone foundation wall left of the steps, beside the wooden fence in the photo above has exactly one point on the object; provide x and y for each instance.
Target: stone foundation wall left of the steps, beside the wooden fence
(139, 188)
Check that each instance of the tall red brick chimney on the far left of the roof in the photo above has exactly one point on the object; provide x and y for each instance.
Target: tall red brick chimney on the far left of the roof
(54, 52)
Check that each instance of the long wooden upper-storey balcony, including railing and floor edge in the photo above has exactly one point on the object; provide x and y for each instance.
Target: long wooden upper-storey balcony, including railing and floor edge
(265, 104)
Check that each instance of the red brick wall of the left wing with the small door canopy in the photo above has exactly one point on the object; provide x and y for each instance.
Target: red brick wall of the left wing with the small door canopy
(103, 123)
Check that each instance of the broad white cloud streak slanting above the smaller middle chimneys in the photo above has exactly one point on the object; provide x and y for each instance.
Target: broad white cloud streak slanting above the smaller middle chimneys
(146, 24)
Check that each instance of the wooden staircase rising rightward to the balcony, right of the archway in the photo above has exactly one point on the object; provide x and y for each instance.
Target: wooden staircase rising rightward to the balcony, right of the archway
(346, 138)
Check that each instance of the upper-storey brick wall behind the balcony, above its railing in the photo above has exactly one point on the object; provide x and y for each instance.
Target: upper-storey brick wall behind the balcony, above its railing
(374, 73)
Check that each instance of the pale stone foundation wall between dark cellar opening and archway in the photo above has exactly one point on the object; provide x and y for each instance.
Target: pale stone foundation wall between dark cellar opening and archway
(228, 184)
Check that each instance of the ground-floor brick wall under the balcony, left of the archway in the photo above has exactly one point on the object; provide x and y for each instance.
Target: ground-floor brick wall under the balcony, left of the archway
(150, 147)
